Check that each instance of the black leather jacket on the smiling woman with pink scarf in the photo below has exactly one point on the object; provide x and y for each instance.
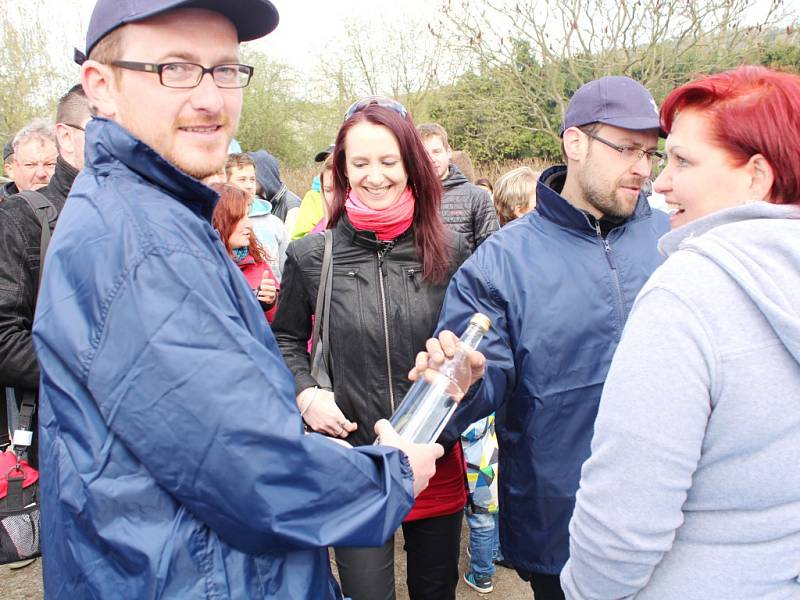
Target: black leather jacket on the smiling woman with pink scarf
(375, 332)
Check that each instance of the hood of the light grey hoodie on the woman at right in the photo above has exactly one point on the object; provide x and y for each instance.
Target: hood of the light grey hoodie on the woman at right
(756, 246)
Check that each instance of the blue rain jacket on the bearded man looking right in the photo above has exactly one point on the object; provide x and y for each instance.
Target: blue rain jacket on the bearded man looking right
(558, 299)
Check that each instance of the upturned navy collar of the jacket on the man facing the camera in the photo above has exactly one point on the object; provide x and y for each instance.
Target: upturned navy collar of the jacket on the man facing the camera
(107, 142)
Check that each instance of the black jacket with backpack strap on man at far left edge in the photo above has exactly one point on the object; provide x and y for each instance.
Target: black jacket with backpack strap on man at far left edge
(20, 233)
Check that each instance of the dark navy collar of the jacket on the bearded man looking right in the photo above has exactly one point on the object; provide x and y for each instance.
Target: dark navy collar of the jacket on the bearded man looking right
(554, 207)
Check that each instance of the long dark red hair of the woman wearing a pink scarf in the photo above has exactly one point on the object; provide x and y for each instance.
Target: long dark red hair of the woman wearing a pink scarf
(429, 232)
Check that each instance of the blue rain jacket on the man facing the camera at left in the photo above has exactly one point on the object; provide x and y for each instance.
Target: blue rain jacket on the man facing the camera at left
(173, 459)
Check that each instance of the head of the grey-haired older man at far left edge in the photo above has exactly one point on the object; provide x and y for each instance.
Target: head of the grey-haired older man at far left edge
(34, 157)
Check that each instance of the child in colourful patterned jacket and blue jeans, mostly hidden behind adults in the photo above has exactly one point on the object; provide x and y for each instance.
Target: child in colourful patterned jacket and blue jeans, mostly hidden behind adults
(480, 451)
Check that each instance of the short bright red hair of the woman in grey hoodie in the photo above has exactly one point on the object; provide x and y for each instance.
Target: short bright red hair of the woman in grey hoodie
(752, 110)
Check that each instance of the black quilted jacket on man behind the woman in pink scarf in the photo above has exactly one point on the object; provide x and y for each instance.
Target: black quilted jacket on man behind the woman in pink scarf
(468, 209)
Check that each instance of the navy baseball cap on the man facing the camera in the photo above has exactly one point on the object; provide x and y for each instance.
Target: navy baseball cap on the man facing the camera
(252, 18)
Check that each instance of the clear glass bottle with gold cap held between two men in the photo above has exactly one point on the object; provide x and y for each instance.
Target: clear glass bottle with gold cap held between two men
(429, 404)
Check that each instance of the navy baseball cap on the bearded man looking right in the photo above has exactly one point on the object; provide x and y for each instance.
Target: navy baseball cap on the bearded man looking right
(614, 100)
